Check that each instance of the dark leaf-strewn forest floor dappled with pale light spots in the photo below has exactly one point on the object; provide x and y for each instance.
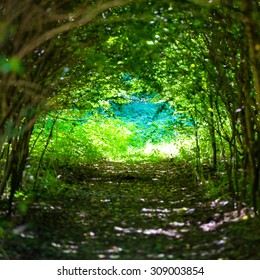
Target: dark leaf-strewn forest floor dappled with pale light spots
(131, 211)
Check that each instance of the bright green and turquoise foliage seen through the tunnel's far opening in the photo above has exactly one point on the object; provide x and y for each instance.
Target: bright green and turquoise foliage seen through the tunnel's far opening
(137, 127)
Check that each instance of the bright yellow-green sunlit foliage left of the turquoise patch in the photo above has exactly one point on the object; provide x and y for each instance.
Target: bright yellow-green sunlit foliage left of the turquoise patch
(96, 139)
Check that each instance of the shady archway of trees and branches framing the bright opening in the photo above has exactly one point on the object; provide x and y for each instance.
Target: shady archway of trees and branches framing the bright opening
(201, 58)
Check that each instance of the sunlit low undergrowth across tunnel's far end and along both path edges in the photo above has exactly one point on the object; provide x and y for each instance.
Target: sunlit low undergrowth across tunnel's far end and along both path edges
(71, 142)
